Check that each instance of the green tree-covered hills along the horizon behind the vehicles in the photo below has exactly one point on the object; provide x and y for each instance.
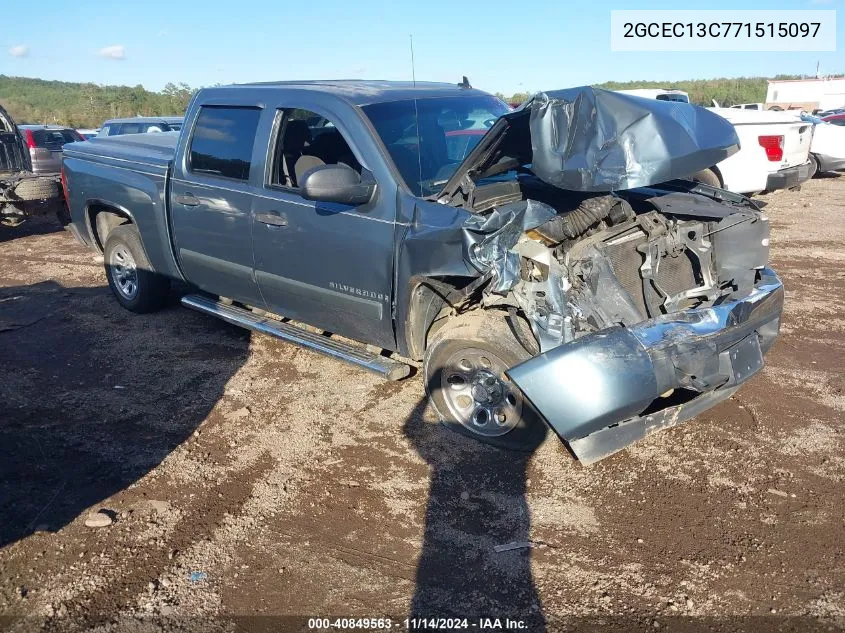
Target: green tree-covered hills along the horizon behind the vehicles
(87, 105)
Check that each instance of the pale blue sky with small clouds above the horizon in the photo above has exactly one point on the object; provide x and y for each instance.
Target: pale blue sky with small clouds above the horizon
(501, 46)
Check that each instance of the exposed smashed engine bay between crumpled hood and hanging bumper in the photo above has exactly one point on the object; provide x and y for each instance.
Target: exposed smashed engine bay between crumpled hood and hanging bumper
(620, 259)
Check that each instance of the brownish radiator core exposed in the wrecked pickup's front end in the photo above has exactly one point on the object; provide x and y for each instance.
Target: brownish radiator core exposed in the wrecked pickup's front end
(674, 274)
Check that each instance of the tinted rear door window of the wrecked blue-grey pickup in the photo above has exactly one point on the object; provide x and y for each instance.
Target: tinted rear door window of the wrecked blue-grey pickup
(221, 144)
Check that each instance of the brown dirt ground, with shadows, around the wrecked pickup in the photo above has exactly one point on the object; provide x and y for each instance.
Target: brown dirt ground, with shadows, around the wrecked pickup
(248, 477)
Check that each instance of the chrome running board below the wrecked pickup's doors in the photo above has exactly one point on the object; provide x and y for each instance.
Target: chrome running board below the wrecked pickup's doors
(382, 365)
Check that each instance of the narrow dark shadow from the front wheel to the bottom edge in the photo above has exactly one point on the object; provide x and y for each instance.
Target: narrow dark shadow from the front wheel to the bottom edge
(476, 500)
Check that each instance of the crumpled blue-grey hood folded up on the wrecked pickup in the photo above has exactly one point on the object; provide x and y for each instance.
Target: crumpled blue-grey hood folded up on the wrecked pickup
(588, 139)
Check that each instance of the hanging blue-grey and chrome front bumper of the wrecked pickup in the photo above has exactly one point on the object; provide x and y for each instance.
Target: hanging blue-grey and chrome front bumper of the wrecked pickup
(606, 390)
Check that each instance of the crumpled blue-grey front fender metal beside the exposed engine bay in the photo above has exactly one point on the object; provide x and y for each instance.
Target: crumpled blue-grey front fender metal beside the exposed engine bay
(490, 239)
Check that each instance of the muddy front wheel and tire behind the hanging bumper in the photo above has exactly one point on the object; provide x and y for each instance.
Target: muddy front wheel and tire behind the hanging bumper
(473, 335)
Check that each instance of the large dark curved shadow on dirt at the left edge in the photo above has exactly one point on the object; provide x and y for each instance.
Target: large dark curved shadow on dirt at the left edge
(93, 397)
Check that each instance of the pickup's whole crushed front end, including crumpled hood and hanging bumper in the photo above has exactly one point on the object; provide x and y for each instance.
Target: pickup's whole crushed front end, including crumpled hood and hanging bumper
(649, 296)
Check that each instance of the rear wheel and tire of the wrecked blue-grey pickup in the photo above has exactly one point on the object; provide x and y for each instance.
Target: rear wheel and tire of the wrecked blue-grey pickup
(122, 251)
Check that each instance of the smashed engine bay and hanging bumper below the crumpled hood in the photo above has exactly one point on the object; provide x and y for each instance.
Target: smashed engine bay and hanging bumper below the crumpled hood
(655, 308)
